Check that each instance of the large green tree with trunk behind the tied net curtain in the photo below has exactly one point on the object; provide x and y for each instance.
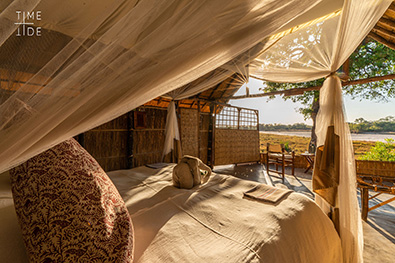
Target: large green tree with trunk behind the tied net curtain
(369, 60)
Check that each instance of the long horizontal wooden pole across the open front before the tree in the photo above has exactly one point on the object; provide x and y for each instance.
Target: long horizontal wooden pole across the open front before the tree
(300, 91)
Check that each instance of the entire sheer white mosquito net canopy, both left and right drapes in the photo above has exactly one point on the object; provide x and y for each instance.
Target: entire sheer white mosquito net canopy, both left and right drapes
(91, 61)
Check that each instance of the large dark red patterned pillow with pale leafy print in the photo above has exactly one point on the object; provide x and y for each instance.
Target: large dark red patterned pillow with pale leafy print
(69, 210)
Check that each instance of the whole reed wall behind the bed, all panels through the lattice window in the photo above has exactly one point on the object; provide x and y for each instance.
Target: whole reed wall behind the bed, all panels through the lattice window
(137, 138)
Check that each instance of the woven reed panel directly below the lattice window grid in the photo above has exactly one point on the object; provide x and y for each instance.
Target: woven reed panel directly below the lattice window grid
(236, 146)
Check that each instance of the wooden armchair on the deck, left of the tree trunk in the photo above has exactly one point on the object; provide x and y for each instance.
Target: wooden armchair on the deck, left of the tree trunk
(277, 155)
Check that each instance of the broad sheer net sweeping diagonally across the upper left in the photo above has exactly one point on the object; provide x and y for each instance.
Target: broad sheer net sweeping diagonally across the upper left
(96, 60)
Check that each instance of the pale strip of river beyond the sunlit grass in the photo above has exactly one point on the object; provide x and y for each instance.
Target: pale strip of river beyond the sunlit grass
(374, 137)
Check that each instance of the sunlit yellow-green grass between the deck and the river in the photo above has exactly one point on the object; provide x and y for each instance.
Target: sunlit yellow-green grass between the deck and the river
(300, 144)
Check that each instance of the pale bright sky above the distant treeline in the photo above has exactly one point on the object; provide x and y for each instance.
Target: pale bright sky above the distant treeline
(284, 112)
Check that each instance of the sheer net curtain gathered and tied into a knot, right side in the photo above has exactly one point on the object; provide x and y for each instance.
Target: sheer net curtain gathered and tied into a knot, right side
(317, 51)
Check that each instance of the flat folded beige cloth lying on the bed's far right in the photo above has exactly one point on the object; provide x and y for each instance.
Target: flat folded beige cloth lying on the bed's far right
(267, 193)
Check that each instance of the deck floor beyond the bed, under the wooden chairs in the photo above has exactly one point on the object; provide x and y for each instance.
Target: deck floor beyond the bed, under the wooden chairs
(379, 230)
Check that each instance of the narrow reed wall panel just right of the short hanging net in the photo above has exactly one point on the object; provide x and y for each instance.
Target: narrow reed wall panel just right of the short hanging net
(189, 125)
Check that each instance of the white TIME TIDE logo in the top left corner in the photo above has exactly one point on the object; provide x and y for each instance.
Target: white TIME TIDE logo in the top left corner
(26, 23)
